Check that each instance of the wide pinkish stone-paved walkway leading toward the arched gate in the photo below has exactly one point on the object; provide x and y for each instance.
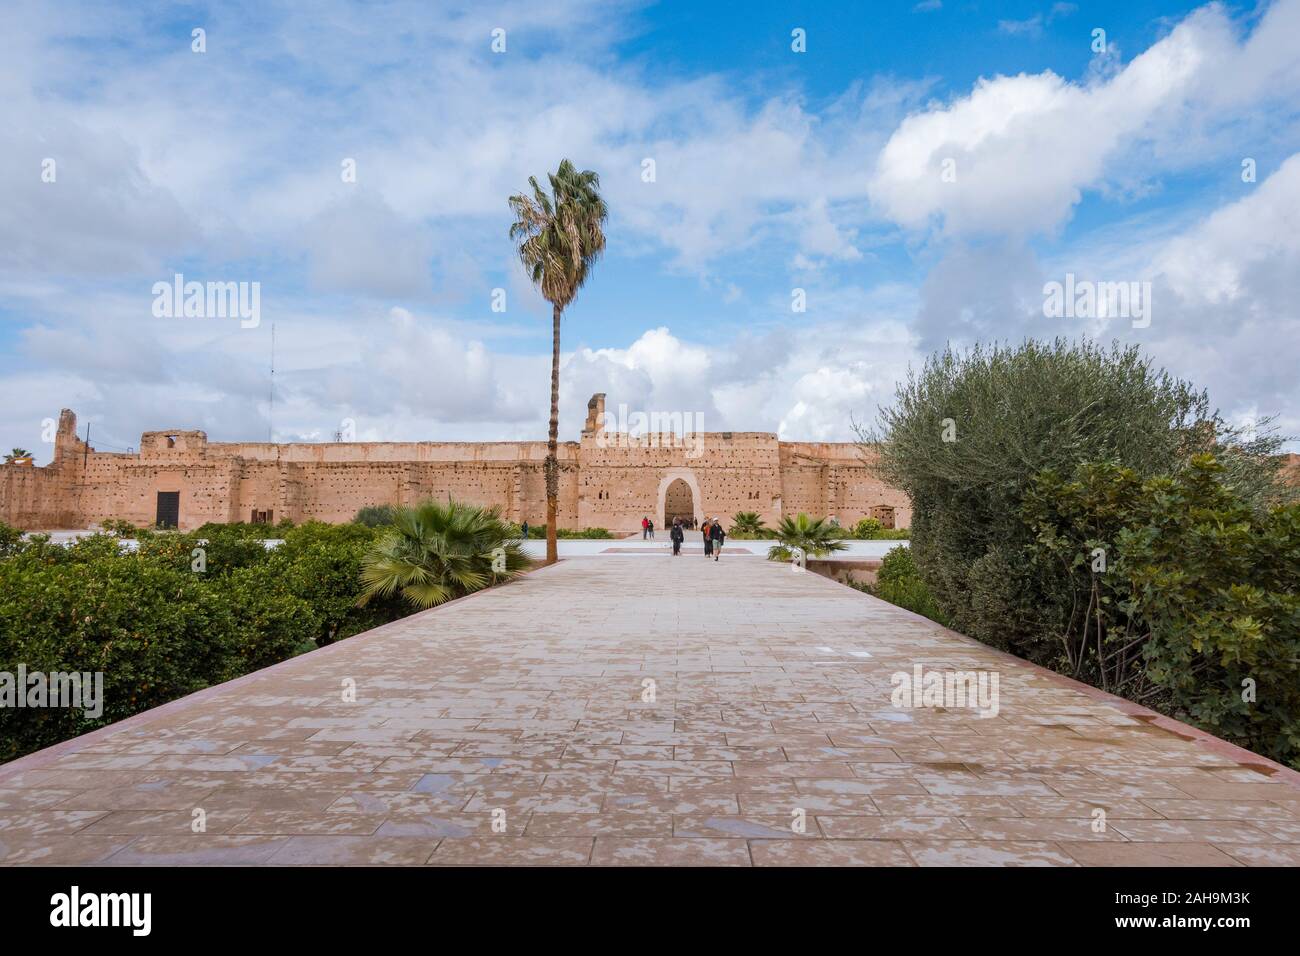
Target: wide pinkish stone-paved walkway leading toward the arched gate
(517, 728)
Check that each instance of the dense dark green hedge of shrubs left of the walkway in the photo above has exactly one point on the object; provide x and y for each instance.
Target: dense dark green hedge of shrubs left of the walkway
(157, 629)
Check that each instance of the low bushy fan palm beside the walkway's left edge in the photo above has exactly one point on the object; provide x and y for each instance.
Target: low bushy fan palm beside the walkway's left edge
(436, 552)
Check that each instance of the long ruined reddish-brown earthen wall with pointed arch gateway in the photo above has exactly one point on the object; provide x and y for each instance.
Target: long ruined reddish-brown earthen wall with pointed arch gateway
(606, 481)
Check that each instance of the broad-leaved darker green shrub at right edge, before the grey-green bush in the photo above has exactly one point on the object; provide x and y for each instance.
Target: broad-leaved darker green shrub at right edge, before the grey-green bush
(1180, 592)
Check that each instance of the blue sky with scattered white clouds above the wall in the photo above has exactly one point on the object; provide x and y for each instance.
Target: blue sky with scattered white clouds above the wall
(805, 200)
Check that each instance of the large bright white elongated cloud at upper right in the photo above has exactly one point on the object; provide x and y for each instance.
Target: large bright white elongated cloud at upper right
(1026, 148)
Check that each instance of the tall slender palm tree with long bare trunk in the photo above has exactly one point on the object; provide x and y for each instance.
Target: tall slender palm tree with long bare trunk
(560, 237)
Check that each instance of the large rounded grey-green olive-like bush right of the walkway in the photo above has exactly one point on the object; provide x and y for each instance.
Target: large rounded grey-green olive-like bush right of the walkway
(970, 431)
